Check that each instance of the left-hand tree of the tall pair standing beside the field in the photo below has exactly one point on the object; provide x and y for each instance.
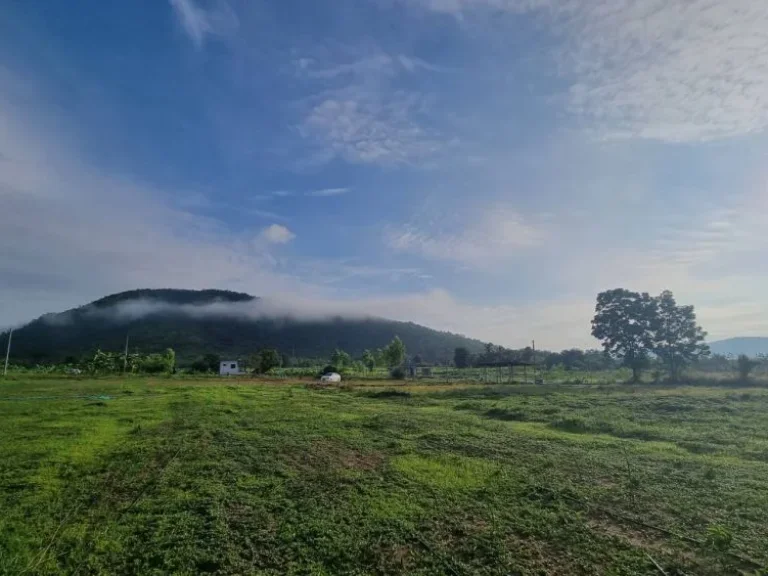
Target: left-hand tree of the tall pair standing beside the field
(624, 322)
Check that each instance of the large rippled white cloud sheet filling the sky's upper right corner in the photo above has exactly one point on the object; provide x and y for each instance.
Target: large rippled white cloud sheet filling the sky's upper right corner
(671, 70)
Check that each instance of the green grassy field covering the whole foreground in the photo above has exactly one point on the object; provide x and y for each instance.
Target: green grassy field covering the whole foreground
(158, 476)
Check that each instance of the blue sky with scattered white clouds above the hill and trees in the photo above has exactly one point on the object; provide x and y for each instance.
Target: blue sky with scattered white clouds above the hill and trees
(479, 166)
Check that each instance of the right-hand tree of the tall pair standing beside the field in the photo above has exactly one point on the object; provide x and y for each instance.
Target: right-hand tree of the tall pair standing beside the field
(677, 339)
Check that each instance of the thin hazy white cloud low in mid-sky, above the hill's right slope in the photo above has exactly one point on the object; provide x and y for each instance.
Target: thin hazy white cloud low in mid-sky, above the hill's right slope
(483, 240)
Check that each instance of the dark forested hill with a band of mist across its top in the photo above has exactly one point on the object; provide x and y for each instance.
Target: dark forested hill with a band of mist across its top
(196, 322)
